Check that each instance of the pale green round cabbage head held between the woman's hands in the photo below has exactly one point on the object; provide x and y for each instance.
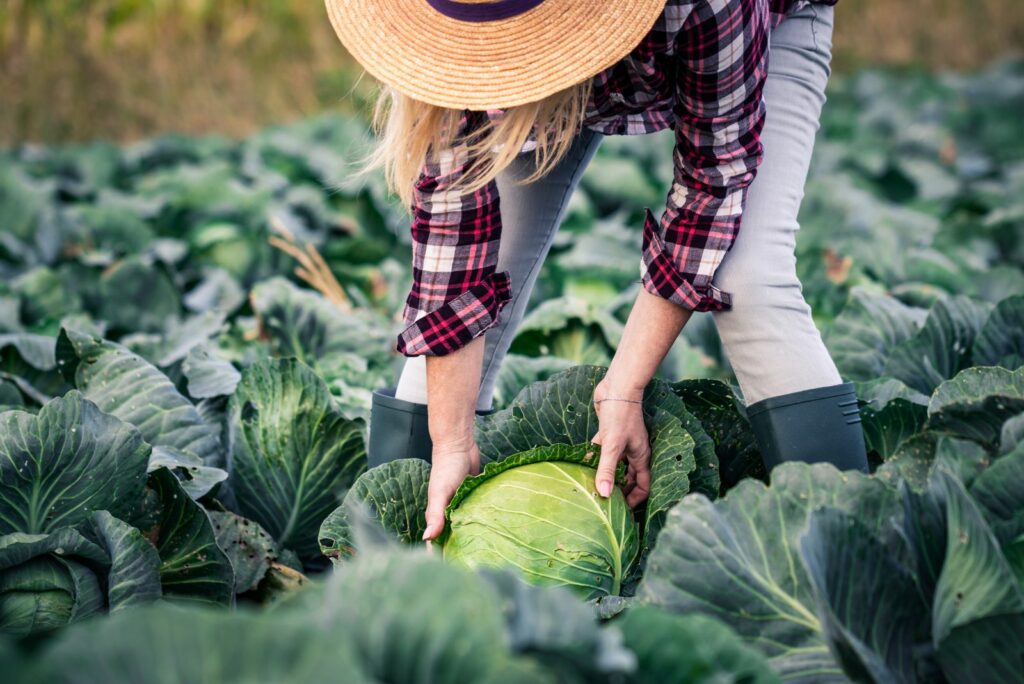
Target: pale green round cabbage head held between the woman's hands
(539, 514)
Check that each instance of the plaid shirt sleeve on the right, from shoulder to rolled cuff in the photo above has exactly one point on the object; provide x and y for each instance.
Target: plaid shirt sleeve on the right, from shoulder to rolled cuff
(722, 54)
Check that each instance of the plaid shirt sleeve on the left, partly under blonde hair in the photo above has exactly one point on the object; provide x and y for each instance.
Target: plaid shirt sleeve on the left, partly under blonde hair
(456, 295)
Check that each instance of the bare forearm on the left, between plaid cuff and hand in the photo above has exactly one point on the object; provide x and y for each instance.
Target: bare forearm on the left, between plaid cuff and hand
(453, 384)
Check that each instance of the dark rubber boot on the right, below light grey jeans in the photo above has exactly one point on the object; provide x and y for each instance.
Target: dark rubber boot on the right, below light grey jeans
(815, 426)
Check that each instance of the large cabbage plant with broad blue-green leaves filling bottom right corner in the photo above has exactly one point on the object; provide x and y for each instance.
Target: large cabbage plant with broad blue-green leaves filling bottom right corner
(838, 576)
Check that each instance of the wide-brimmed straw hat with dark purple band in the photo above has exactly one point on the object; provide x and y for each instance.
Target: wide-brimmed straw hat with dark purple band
(489, 55)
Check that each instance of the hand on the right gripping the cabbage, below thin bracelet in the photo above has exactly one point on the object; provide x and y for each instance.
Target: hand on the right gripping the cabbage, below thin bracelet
(622, 436)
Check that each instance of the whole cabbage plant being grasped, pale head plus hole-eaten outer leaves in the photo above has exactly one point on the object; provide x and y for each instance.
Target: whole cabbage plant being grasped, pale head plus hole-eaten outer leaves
(535, 508)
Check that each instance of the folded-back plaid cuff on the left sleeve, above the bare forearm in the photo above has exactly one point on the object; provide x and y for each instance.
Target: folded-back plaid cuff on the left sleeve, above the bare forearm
(458, 321)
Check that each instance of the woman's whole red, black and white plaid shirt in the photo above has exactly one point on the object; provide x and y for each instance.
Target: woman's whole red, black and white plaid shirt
(700, 71)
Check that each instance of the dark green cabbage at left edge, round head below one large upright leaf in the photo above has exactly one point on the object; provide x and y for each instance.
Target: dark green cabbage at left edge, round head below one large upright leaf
(65, 474)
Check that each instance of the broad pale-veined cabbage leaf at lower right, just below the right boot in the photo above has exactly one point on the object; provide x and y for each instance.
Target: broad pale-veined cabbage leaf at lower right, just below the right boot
(739, 561)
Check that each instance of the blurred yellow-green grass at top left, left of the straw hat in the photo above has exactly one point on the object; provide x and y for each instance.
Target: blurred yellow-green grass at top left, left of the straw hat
(73, 70)
